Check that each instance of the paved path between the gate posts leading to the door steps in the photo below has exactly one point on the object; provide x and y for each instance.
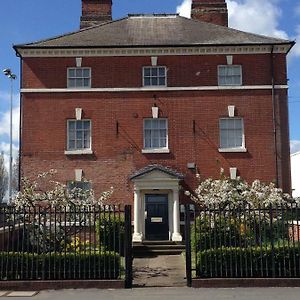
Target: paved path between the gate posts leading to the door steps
(159, 271)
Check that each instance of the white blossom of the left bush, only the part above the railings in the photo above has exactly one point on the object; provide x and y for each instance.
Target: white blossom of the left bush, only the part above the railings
(57, 195)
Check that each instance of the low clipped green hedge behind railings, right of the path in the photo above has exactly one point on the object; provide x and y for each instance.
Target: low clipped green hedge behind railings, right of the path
(254, 262)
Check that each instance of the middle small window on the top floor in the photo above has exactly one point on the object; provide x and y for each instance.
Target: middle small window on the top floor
(154, 76)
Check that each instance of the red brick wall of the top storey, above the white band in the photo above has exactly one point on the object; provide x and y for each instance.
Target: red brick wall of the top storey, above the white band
(182, 71)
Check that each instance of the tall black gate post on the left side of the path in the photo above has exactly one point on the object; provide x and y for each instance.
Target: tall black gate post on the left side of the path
(128, 248)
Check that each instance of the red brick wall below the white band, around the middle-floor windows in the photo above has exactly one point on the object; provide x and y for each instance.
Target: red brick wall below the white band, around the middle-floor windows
(116, 156)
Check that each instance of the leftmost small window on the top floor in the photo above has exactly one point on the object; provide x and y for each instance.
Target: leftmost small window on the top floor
(79, 78)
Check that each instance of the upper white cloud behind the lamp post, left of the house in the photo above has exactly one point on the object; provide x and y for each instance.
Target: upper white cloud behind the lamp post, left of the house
(5, 123)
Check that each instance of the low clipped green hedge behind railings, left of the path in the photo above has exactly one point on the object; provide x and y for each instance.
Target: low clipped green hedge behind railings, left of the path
(59, 266)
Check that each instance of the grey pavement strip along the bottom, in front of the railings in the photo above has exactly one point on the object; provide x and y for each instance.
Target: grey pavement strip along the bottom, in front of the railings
(170, 294)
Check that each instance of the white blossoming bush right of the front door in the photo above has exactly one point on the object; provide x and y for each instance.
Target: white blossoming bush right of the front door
(237, 214)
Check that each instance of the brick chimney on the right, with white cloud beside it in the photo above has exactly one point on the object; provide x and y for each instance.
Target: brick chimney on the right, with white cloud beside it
(211, 11)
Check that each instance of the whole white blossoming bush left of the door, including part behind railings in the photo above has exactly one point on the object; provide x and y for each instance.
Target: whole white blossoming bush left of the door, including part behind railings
(52, 213)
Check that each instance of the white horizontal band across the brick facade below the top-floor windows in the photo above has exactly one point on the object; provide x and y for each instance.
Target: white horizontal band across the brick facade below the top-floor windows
(146, 89)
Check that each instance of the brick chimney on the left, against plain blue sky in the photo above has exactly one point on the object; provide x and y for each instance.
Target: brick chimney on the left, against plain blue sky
(95, 12)
